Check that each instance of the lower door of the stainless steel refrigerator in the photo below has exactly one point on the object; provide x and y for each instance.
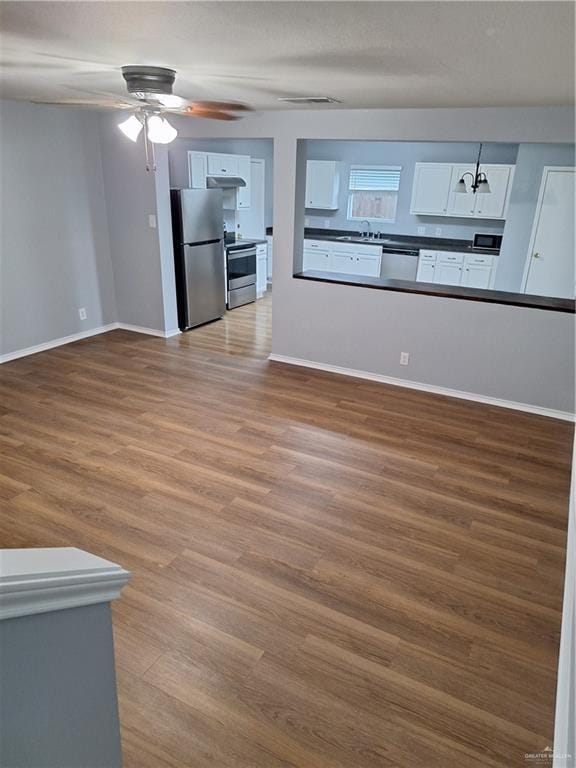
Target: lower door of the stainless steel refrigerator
(205, 282)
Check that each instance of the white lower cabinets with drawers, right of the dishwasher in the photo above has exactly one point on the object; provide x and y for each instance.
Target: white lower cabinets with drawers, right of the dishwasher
(451, 268)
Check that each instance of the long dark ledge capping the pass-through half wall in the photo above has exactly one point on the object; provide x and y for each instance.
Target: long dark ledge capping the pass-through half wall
(445, 291)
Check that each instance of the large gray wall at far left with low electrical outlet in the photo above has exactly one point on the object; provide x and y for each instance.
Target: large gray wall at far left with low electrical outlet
(55, 255)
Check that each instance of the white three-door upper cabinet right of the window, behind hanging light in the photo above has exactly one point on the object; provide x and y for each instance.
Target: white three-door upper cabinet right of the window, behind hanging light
(434, 184)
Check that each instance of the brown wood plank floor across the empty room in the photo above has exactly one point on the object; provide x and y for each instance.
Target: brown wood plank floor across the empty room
(327, 572)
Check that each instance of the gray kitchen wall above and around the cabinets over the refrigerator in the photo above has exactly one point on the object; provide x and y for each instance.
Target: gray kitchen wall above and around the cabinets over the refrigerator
(259, 148)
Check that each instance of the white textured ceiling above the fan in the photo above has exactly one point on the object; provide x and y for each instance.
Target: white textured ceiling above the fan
(367, 54)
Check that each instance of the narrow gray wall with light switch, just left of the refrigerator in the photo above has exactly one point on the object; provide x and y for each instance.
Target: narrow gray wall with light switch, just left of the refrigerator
(143, 298)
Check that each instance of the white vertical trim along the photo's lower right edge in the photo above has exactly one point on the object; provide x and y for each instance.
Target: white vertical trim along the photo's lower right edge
(564, 726)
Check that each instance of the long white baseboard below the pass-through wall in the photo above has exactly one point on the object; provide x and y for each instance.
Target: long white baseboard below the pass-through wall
(527, 407)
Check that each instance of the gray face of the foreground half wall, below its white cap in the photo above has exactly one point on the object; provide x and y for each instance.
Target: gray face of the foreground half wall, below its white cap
(58, 706)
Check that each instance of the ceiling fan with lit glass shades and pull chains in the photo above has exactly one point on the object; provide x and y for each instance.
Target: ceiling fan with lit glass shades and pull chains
(150, 98)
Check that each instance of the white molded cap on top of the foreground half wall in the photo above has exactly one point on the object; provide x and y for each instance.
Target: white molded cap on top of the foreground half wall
(41, 580)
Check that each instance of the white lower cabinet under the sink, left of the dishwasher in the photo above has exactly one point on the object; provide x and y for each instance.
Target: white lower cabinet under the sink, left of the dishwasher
(345, 258)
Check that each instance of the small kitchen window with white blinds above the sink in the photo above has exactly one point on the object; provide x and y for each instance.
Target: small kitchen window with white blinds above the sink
(373, 192)
